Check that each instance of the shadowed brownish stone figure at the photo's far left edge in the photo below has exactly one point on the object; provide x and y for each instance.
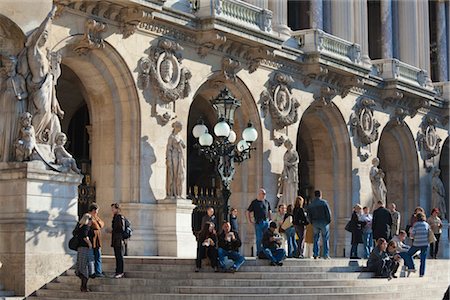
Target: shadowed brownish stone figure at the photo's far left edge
(13, 96)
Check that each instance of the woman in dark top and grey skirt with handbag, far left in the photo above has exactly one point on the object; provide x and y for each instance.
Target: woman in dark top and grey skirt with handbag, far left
(84, 267)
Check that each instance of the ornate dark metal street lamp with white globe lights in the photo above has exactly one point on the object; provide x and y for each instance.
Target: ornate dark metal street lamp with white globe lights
(222, 149)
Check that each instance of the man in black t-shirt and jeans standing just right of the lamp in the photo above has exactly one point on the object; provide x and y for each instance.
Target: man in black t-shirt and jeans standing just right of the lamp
(262, 213)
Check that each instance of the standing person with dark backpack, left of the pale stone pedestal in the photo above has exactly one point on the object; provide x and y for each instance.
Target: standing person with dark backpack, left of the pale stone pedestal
(117, 238)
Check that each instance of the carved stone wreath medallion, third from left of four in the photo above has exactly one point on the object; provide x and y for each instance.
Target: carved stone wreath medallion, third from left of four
(364, 123)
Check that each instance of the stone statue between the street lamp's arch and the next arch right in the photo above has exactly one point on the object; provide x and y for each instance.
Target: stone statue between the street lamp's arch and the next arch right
(289, 176)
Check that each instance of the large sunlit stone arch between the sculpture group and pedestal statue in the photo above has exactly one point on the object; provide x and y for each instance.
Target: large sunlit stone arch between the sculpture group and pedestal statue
(111, 96)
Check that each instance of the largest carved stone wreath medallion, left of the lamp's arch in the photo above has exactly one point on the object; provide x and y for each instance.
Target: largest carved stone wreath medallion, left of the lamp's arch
(163, 66)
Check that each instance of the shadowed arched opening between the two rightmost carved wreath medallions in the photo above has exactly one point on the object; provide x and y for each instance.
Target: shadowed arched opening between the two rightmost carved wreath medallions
(398, 159)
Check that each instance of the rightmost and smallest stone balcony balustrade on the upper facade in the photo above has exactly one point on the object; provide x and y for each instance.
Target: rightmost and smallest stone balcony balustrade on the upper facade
(392, 68)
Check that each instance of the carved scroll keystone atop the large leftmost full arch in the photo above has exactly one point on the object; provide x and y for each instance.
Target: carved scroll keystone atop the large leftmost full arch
(92, 38)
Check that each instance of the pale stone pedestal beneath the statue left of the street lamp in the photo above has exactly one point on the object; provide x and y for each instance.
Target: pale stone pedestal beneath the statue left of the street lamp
(173, 228)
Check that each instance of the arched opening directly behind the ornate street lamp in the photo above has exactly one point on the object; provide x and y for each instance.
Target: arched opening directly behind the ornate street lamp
(248, 176)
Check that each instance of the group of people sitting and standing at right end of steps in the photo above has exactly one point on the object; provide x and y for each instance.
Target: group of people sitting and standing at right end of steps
(383, 226)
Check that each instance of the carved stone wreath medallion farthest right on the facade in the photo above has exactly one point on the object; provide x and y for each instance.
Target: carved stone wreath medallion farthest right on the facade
(427, 138)
